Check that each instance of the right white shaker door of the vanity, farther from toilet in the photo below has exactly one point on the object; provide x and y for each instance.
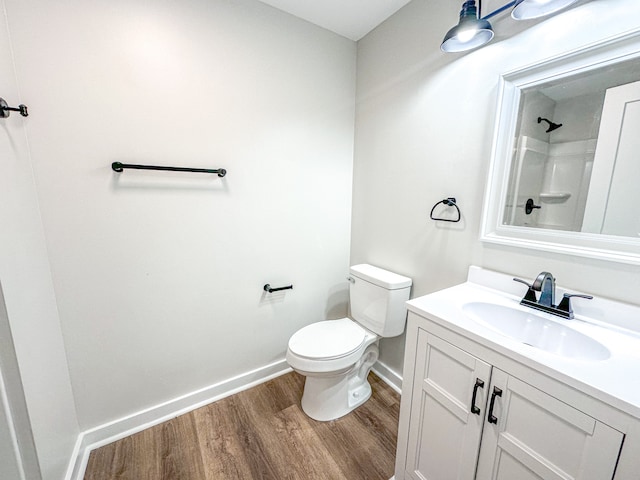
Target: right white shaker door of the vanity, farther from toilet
(534, 436)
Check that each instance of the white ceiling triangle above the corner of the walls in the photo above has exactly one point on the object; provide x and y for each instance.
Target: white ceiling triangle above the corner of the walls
(350, 18)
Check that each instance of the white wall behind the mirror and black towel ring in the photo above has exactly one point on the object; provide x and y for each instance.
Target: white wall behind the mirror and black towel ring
(424, 124)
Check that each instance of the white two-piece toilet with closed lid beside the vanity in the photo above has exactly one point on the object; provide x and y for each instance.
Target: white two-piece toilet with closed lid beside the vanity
(337, 355)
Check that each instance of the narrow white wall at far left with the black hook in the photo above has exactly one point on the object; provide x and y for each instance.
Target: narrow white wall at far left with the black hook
(33, 362)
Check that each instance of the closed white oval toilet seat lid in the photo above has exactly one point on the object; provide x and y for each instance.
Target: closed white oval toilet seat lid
(327, 340)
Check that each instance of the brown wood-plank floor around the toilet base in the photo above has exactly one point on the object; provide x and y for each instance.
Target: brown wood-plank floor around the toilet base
(261, 433)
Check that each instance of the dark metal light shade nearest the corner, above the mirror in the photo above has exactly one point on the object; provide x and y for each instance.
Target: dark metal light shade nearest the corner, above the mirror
(471, 31)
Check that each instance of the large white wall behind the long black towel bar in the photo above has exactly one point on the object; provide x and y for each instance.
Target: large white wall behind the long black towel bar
(159, 276)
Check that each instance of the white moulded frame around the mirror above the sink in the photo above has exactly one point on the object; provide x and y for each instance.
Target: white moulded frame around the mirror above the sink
(606, 247)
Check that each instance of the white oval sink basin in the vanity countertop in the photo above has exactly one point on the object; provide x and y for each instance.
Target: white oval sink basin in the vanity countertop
(537, 331)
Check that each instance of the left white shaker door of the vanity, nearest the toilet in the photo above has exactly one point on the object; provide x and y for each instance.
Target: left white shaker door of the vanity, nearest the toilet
(447, 411)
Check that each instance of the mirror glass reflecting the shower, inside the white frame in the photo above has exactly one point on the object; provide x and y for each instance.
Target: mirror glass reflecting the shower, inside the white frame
(554, 153)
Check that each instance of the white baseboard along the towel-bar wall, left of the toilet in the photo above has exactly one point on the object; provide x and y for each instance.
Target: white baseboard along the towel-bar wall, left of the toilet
(136, 422)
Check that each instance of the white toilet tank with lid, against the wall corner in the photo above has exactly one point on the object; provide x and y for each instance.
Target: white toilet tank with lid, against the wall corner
(377, 298)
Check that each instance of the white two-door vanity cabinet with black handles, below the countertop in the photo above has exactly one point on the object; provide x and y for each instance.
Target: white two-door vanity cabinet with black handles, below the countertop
(468, 413)
